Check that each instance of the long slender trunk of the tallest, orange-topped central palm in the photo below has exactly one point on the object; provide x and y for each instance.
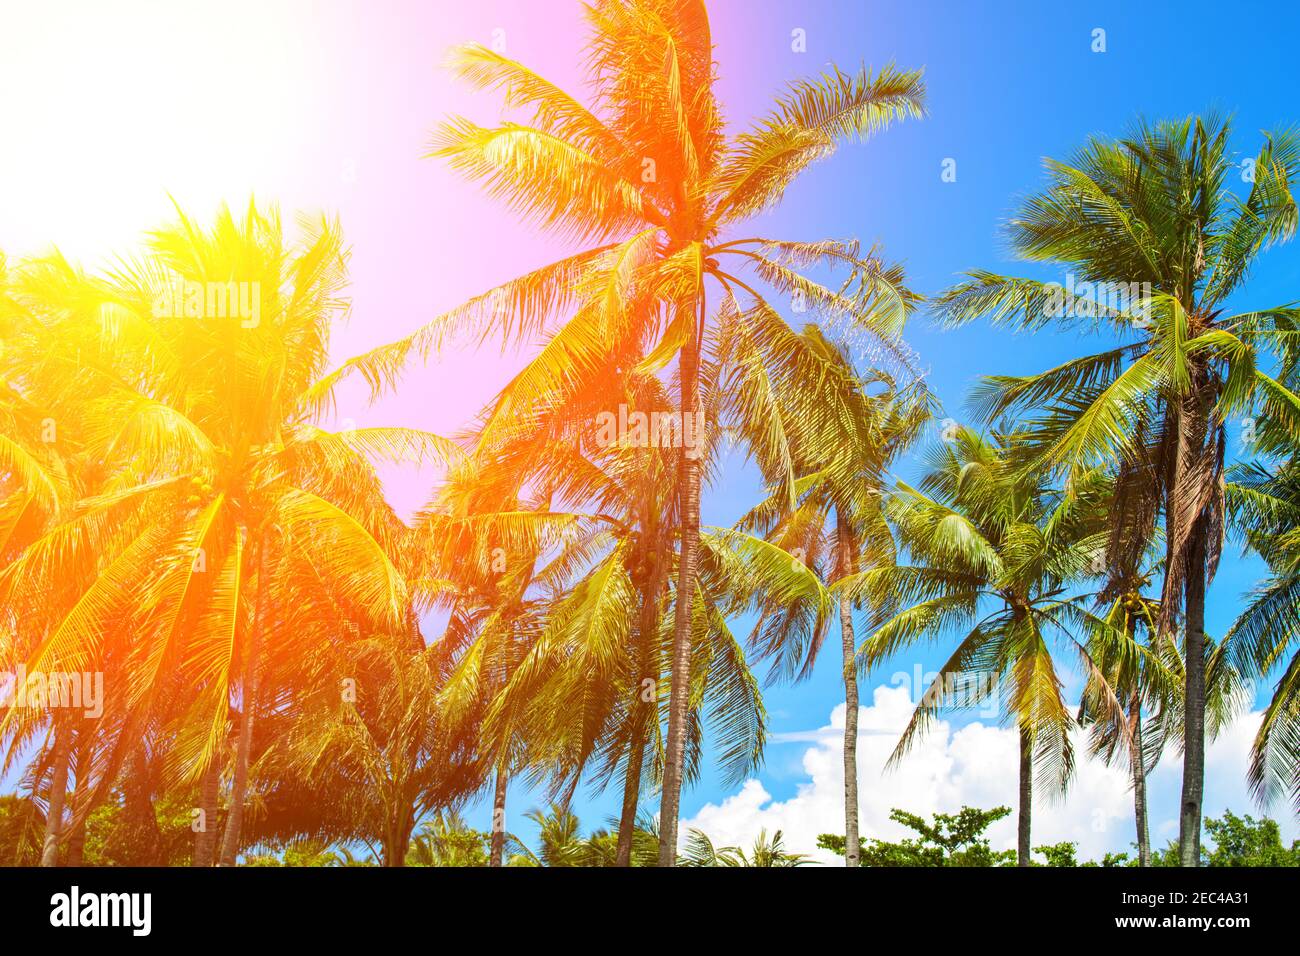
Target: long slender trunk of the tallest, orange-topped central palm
(670, 803)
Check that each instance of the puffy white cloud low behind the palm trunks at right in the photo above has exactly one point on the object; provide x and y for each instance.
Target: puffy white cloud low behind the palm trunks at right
(972, 765)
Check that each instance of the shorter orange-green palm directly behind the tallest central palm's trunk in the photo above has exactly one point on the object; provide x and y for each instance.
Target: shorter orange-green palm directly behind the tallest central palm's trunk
(590, 691)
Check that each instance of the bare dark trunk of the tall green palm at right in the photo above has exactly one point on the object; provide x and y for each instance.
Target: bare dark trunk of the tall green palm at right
(1194, 710)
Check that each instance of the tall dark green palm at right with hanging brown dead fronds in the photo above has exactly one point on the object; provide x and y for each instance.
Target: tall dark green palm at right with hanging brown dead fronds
(1156, 245)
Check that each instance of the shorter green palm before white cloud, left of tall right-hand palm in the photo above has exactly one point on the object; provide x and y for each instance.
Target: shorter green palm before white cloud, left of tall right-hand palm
(994, 551)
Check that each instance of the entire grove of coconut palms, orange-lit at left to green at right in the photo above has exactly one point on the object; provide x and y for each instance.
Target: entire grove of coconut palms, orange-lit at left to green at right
(315, 678)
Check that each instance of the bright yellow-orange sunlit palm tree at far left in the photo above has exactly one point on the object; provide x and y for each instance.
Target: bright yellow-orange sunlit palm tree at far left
(231, 533)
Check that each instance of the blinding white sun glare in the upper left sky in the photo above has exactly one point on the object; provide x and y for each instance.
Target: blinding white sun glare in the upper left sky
(111, 109)
